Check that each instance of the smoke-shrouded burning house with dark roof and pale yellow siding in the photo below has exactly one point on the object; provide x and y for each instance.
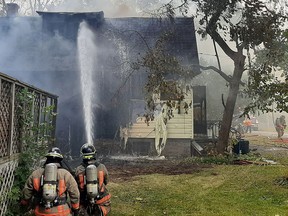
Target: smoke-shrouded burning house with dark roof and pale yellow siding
(116, 96)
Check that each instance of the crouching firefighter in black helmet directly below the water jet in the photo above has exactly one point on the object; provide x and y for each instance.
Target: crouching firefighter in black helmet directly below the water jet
(92, 178)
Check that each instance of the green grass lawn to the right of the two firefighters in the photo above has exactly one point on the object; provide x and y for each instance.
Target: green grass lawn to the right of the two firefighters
(223, 190)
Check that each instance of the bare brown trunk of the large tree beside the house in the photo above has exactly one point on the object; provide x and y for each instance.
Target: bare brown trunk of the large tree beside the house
(230, 103)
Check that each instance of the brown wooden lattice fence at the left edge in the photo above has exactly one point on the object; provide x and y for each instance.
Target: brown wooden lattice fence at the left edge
(10, 132)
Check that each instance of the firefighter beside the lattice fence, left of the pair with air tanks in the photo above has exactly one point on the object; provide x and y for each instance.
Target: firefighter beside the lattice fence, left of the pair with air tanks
(48, 188)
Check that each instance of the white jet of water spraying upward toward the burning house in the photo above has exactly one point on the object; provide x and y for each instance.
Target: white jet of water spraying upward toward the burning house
(87, 56)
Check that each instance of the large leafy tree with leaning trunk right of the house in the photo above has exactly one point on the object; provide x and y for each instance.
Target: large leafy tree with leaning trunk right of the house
(237, 26)
